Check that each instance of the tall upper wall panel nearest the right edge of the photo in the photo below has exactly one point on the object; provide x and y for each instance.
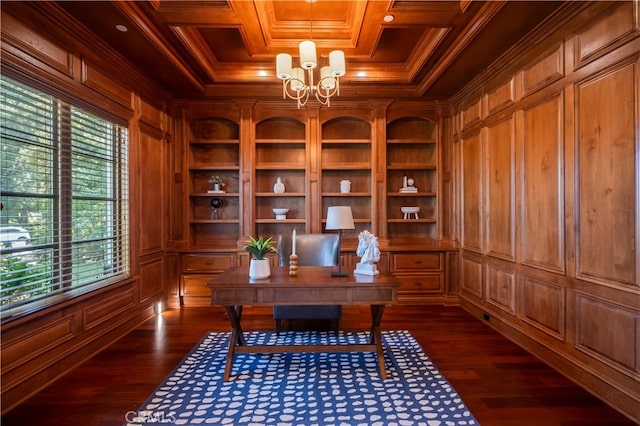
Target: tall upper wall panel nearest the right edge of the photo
(606, 237)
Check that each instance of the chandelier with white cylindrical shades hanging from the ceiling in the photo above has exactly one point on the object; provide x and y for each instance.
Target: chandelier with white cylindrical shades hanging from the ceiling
(294, 84)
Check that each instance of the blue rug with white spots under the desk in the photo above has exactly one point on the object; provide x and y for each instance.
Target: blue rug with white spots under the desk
(305, 388)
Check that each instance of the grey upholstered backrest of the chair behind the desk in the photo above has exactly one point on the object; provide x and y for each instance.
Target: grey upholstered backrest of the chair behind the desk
(312, 249)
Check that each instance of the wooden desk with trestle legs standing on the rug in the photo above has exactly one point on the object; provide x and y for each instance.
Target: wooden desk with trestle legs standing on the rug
(313, 285)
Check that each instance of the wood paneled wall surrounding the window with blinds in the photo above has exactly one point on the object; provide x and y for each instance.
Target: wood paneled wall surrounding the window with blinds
(40, 346)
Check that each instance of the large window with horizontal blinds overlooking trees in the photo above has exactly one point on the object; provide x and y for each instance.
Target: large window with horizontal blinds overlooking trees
(64, 194)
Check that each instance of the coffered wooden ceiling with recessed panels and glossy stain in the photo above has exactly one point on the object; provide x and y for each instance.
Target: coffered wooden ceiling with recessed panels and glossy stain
(227, 48)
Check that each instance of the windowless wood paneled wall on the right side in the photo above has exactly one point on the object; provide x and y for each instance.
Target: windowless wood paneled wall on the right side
(549, 193)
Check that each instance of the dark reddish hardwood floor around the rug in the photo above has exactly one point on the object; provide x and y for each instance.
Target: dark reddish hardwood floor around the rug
(500, 383)
